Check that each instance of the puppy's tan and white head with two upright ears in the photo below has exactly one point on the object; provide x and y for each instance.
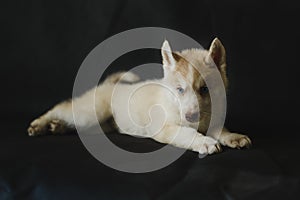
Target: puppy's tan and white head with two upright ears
(184, 72)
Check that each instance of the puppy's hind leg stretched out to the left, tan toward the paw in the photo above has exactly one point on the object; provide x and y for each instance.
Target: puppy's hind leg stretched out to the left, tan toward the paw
(60, 118)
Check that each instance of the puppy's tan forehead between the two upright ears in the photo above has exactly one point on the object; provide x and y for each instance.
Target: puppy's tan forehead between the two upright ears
(190, 64)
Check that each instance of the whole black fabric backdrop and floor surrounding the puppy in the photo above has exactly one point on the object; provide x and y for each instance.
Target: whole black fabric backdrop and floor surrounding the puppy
(45, 41)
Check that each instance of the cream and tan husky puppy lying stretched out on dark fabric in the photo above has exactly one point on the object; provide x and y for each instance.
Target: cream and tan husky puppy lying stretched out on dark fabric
(173, 110)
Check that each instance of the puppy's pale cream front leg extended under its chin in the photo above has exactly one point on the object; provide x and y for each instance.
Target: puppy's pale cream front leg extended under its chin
(188, 138)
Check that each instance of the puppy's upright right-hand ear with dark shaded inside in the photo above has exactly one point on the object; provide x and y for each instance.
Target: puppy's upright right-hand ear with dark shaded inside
(217, 53)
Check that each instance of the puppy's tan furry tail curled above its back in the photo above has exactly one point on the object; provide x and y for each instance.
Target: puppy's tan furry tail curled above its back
(122, 76)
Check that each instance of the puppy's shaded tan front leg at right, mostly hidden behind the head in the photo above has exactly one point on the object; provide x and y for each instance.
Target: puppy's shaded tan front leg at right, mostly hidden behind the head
(233, 140)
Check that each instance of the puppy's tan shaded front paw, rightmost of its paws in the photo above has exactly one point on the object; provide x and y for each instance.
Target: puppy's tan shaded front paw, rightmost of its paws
(235, 140)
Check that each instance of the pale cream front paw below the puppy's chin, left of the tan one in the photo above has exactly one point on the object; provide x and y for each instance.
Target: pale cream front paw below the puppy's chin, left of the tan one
(209, 146)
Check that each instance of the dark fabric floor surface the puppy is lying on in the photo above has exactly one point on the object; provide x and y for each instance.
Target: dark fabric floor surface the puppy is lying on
(59, 167)
